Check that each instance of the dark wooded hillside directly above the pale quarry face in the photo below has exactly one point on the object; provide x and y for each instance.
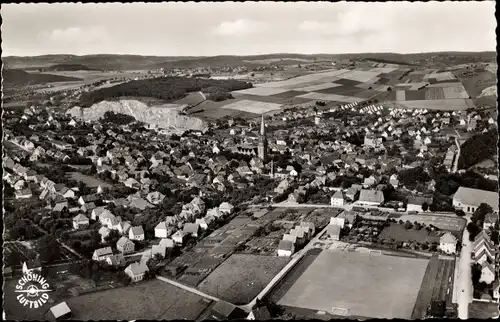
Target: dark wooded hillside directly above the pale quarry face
(165, 88)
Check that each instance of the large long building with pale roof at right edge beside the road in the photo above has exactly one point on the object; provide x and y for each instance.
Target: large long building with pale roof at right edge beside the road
(468, 199)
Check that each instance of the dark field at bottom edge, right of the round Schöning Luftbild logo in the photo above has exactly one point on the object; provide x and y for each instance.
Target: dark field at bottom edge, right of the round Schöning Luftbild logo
(151, 300)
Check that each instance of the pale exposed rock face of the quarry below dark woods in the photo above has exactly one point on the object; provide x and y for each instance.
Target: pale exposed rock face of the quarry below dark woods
(163, 116)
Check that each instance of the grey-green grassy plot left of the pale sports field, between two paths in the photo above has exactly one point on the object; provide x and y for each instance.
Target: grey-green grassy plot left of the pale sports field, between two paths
(241, 277)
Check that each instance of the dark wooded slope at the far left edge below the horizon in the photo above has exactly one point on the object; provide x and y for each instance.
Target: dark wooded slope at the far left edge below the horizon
(17, 77)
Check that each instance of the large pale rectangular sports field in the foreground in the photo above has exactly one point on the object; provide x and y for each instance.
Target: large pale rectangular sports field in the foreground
(359, 284)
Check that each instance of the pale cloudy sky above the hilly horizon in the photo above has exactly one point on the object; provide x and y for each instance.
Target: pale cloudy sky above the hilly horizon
(248, 28)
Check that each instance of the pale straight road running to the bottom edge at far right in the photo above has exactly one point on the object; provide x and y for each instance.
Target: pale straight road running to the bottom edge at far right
(463, 278)
